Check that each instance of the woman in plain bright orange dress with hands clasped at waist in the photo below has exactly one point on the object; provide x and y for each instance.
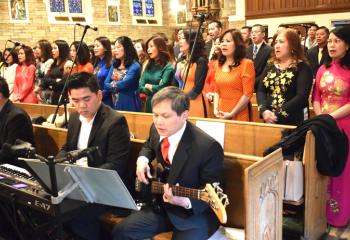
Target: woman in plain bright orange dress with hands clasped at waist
(234, 78)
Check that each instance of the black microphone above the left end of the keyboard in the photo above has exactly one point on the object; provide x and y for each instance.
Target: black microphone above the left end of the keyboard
(19, 149)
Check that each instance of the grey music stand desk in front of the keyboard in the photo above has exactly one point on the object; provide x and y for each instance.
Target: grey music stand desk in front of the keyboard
(92, 185)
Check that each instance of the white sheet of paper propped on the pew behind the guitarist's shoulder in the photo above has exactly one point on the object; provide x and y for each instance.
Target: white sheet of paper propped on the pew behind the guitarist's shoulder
(214, 129)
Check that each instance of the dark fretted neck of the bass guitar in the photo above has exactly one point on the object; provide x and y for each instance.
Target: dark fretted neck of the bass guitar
(157, 187)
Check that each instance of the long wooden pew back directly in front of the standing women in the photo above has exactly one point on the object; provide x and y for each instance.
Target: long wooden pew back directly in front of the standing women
(240, 137)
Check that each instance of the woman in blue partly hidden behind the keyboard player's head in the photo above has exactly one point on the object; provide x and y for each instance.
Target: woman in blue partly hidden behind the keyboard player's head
(103, 54)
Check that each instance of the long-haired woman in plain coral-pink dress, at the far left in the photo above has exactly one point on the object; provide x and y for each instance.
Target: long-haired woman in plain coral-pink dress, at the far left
(24, 79)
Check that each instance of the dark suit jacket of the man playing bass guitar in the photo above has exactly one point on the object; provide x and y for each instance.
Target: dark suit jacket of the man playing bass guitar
(198, 160)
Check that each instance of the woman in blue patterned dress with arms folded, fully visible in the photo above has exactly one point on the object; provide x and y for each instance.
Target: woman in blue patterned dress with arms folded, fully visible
(122, 81)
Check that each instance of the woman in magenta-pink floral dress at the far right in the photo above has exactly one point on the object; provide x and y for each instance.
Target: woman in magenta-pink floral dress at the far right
(332, 96)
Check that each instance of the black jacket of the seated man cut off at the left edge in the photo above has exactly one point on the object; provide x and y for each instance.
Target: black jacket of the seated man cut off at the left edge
(14, 124)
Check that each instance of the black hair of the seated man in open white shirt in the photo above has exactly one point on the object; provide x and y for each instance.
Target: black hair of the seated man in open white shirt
(83, 80)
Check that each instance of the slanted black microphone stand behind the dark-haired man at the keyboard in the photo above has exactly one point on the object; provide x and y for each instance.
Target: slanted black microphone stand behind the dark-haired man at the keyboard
(64, 94)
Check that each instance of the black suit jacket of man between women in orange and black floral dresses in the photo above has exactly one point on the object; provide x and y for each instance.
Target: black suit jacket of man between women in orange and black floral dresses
(260, 60)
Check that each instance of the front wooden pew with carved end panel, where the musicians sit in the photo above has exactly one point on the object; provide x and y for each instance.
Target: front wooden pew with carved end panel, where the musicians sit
(256, 172)
